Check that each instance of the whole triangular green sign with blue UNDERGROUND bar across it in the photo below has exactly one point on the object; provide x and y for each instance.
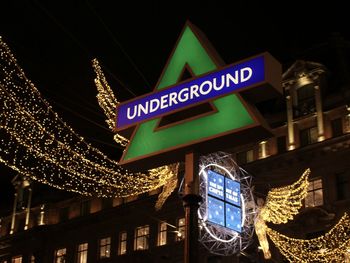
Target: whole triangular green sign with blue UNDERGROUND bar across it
(207, 113)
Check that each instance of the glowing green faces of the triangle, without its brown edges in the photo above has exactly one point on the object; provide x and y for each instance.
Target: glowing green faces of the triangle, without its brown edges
(231, 113)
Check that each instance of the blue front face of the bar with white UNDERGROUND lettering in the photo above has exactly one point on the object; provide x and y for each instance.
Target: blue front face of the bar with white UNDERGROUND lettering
(204, 88)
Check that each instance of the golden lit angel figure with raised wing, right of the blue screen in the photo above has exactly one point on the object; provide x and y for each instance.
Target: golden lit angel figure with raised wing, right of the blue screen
(281, 205)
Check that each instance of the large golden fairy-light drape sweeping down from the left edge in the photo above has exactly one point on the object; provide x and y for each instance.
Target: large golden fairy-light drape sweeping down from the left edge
(35, 142)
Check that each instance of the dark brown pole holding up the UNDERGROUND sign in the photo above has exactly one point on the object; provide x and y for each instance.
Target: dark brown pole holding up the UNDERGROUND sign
(191, 201)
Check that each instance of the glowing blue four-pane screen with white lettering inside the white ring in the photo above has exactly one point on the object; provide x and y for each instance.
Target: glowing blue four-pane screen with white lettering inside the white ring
(224, 205)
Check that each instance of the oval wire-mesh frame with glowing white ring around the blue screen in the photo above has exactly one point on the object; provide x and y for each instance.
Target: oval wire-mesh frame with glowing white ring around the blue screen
(215, 237)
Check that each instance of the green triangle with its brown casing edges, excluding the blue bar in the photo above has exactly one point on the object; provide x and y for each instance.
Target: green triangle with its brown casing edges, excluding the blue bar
(152, 146)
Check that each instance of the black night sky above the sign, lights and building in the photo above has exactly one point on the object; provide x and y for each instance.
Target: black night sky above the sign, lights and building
(54, 43)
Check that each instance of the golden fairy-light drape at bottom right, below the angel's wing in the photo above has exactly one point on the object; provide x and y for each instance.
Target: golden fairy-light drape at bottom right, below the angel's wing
(331, 247)
